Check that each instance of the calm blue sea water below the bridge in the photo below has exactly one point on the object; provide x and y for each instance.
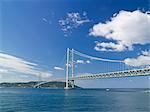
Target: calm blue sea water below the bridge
(88, 100)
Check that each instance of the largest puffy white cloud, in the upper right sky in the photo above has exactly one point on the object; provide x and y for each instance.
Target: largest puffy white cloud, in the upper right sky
(126, 28)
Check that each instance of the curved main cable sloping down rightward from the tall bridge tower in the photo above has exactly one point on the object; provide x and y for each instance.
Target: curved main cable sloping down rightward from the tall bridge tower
(96, 58)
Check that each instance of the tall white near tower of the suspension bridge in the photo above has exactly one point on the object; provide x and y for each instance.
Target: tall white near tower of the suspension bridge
(69, 67)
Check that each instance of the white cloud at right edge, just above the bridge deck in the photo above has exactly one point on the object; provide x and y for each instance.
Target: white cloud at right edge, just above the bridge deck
(142, 60)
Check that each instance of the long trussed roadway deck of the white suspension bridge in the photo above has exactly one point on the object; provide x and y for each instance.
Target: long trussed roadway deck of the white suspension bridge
(119, 74)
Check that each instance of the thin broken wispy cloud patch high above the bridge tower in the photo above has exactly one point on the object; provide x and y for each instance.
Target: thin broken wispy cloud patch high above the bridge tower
(73, 20)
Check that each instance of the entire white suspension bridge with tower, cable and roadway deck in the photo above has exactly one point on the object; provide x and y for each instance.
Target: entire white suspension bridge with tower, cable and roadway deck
(71, 77)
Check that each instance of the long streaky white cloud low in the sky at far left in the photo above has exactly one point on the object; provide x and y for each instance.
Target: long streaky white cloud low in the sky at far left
(13, 64)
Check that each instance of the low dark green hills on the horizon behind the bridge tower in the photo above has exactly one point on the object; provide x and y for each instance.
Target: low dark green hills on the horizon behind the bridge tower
(33, 83)
